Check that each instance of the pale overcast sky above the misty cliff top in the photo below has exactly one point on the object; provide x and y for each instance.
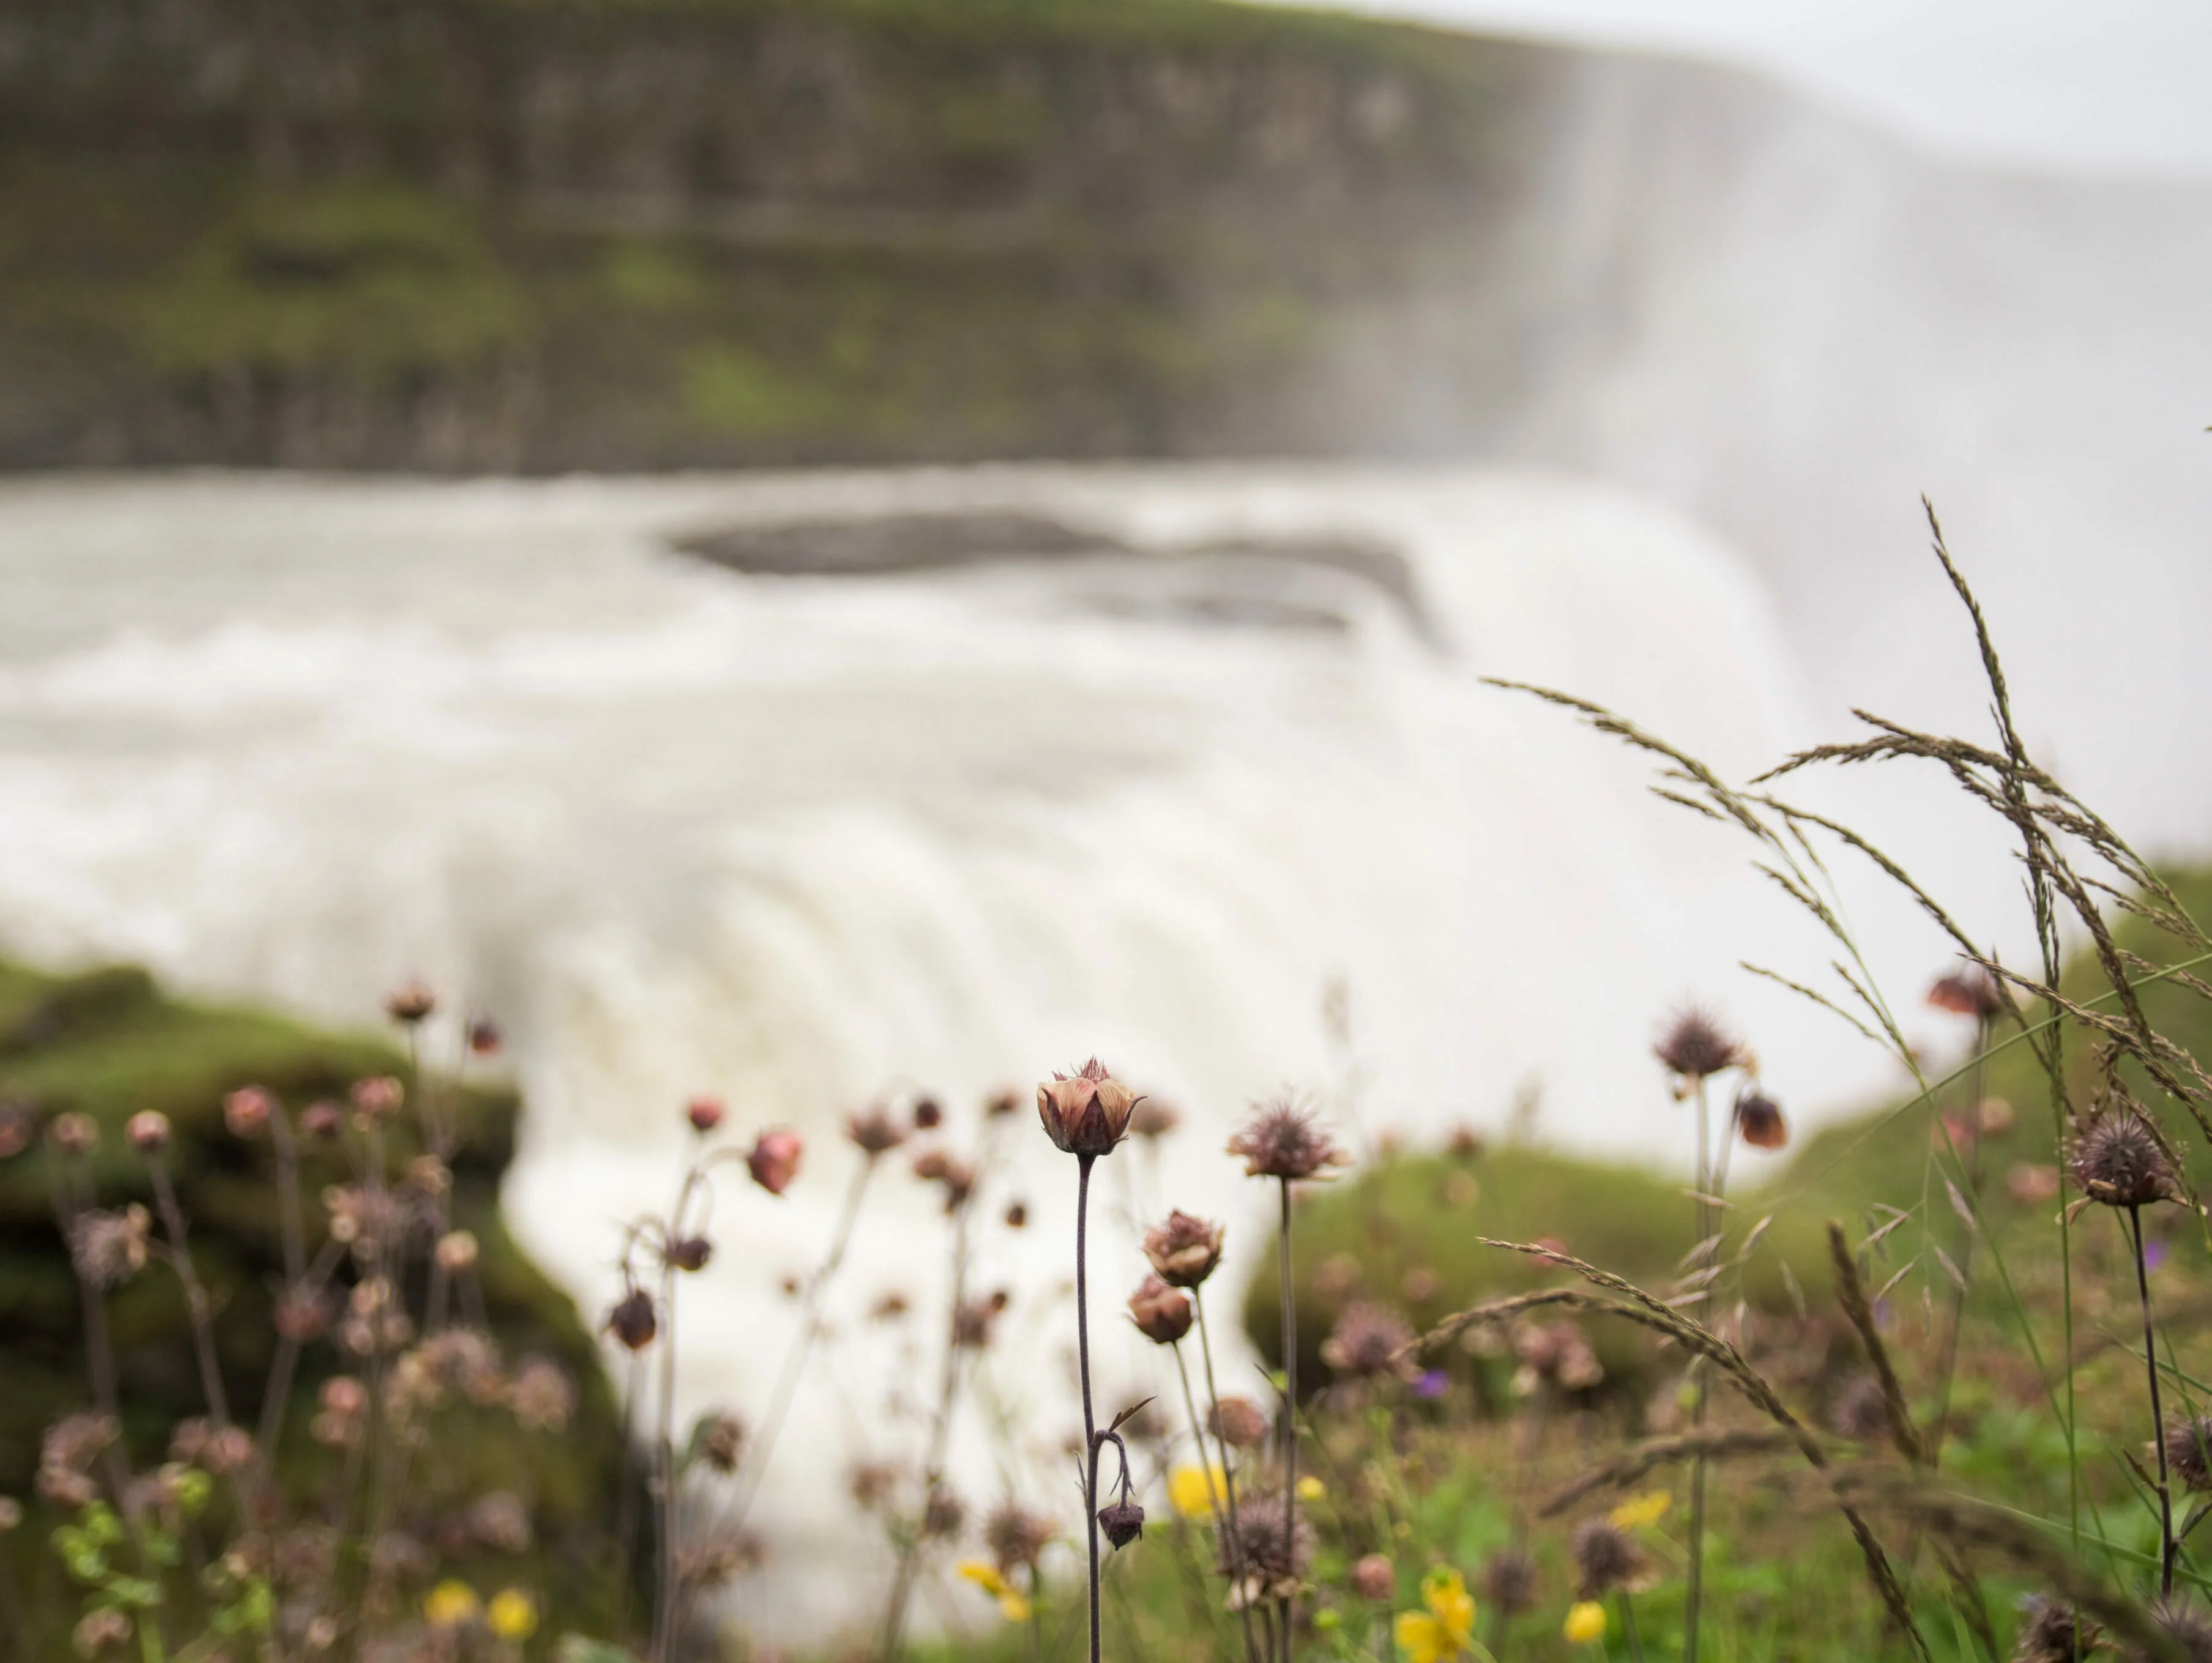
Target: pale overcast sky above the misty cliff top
(2078, 85)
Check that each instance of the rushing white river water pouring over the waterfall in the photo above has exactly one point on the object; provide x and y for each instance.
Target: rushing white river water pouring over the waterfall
(808, 841)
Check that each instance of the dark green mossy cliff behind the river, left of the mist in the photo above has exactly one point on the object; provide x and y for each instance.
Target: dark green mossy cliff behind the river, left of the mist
(651, 233)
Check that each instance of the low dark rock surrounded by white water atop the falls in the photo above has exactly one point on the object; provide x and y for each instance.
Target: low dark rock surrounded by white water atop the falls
(1253, 583)
